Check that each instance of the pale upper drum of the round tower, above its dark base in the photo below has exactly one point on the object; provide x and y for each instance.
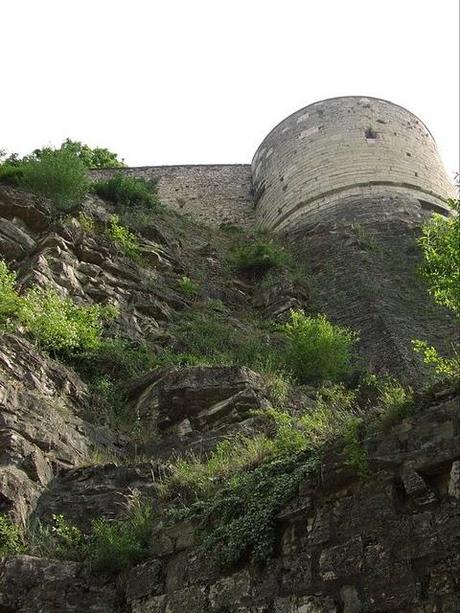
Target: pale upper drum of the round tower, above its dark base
(339, 158)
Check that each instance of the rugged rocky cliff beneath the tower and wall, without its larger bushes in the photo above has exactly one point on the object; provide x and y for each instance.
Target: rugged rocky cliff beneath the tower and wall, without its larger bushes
(371, 529)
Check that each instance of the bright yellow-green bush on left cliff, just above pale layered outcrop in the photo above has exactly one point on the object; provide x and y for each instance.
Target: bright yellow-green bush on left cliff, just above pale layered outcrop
(59, 325)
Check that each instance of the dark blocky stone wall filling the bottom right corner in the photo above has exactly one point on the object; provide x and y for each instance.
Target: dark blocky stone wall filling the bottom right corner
(386, 544)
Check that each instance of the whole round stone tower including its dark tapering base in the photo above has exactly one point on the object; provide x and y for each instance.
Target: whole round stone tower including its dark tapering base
(349, 182)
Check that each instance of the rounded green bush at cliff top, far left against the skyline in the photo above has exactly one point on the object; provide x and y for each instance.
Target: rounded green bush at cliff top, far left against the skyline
(57, 174)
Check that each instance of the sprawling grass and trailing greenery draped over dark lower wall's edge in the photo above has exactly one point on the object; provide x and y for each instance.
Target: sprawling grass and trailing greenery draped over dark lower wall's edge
(235, 494)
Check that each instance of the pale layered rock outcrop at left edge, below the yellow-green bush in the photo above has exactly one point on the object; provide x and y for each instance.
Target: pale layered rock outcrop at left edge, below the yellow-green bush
(41, 432)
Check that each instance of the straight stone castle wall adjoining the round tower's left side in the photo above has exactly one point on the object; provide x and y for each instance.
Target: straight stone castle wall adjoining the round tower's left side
(215, 194)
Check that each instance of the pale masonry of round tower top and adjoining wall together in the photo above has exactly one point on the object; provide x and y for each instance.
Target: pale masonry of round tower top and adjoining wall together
(312, 163)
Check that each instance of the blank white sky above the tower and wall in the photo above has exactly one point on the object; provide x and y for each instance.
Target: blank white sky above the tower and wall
(198, 81)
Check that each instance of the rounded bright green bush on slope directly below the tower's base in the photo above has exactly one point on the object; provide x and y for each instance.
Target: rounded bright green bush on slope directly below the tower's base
(316, 349)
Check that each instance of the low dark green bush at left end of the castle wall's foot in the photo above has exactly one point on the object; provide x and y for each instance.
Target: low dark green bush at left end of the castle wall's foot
(123, 190)
